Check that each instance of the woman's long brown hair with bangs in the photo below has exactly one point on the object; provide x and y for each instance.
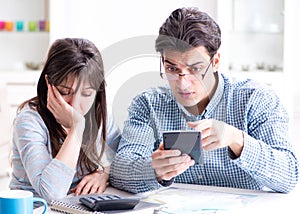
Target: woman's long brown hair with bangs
(75, 58)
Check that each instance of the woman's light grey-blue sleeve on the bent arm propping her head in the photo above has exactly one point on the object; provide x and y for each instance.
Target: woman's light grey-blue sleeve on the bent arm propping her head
(49, 177)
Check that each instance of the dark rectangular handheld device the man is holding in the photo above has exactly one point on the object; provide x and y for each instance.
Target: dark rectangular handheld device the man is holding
(188, 142)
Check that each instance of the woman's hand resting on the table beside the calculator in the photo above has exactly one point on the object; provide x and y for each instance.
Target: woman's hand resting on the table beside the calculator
(95, 182)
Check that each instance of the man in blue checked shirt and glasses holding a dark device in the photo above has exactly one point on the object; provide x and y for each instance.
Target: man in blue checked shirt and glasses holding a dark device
(244, 126)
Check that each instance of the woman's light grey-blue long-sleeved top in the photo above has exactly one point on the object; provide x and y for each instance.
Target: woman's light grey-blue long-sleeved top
(35, 169)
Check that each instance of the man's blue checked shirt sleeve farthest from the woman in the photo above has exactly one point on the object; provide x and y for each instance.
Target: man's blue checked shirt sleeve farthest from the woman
(268, 155)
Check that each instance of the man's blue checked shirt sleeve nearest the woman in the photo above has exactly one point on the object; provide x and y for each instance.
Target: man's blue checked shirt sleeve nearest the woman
(131, 169)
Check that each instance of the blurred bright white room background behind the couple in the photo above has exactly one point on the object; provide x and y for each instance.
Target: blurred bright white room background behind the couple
(259, 40)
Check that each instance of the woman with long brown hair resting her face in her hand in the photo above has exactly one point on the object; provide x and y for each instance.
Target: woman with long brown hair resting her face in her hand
(59, 136)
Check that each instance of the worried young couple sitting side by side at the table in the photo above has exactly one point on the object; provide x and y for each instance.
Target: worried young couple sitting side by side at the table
(65, 139)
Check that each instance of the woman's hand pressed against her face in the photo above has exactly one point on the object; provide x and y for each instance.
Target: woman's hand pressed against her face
(64, 113)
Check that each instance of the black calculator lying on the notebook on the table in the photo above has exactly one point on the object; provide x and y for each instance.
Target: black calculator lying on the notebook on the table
(106, 202)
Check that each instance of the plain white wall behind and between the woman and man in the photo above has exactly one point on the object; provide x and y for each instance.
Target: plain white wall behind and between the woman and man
(124, 32)
